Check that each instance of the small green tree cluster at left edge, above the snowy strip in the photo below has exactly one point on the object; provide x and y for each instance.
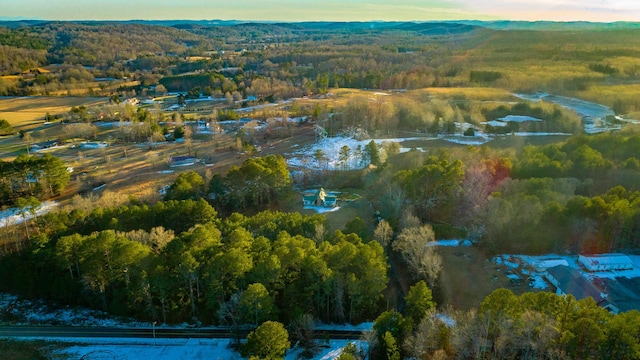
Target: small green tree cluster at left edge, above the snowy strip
(39, 176)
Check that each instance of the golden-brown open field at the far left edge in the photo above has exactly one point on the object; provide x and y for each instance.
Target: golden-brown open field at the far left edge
(25, 112)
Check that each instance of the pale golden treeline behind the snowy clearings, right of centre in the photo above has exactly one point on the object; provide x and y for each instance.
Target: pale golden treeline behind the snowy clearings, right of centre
(420, 112)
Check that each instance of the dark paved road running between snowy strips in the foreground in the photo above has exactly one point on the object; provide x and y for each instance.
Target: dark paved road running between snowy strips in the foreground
(103, 332)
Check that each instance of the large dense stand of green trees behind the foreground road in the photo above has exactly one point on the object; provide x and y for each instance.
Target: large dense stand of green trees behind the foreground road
(178, 261)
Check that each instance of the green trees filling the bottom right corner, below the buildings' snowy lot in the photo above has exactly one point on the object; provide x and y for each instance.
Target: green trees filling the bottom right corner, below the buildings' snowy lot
(538, 325)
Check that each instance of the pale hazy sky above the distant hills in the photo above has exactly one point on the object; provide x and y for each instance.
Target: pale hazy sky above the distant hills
(329, 10)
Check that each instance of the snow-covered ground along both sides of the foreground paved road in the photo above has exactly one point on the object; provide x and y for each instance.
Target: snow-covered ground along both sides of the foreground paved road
(31, 313)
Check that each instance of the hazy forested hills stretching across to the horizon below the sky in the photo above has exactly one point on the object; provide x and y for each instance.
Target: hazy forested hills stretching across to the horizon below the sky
(279, 61)
